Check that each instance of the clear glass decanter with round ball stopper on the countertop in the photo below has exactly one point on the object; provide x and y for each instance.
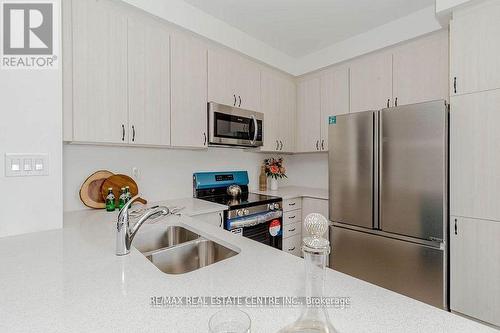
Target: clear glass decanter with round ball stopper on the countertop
(314, 319)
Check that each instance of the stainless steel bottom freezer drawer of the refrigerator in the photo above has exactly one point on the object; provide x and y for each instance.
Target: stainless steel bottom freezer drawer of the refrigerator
(411, 269)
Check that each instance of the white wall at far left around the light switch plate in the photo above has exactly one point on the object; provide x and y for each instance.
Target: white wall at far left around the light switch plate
(31, 122)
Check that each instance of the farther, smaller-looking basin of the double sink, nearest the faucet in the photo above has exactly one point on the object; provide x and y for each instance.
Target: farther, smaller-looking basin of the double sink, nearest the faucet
(155, 239)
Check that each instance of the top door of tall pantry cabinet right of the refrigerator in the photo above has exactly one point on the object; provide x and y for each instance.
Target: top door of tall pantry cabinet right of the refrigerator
(474, 48)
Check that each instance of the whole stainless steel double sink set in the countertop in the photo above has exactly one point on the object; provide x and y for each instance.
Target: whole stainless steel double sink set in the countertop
(177, 250)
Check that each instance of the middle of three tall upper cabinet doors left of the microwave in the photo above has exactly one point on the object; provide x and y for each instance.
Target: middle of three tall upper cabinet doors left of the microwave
(148, 83)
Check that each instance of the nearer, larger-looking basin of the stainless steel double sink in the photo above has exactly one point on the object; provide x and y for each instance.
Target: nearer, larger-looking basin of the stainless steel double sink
(189, 256)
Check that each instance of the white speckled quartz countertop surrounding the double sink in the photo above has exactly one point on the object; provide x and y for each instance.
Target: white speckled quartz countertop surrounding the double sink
(70, 280)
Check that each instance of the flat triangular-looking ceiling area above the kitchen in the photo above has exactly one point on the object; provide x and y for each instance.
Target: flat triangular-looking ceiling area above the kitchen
(301, 27)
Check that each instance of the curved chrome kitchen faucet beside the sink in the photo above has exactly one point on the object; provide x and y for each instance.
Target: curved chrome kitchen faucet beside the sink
(125, 234)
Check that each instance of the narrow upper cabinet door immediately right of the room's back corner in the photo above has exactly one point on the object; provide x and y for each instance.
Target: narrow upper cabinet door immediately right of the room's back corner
(308, 115)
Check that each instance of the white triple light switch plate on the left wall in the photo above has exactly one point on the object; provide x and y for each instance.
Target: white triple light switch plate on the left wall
(16, 165)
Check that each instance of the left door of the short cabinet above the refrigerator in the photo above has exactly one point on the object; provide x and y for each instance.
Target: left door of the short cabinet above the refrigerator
(371, 82)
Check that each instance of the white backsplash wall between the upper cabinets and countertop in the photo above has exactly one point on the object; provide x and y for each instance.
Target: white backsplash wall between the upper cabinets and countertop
(167, 174)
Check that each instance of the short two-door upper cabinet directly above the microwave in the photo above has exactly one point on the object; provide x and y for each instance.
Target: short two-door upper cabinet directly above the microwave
(233, 80)
